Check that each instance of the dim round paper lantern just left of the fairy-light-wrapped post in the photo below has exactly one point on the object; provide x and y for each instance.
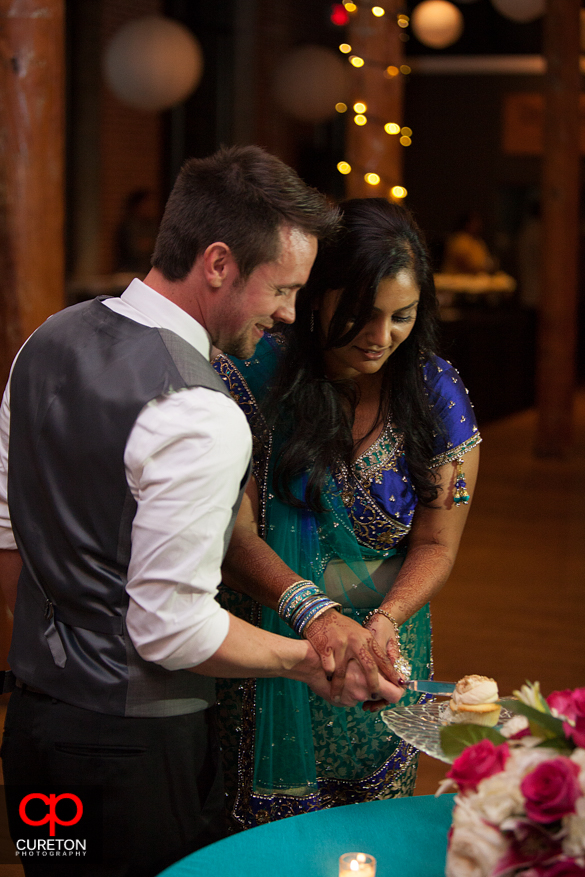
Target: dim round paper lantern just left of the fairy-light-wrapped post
(309, 81)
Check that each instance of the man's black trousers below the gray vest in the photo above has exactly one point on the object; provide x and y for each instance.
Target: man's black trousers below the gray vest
(160, 780)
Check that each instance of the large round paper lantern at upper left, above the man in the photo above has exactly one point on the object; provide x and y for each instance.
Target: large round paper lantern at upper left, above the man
(153, 63)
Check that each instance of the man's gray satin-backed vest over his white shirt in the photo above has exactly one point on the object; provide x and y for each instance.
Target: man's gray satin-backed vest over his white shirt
(76, 390)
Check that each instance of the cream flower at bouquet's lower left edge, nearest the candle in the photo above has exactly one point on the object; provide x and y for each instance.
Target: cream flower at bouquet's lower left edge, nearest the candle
(475, 847)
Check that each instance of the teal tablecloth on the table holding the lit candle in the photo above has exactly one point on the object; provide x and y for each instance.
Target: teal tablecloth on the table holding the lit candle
(408, 837)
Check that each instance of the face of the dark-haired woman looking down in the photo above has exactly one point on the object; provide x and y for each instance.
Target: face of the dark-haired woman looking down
(392, 320)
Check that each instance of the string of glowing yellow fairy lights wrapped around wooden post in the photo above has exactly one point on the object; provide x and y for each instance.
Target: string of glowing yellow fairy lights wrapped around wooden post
(360, 109)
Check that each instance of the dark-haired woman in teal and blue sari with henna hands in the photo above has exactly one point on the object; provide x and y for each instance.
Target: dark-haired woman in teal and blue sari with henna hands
(353, 519)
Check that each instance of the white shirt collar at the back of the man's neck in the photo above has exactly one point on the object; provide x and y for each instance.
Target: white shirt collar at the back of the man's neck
(166, 315)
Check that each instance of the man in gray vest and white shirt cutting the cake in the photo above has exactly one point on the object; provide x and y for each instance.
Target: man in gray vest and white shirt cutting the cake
(122, 464)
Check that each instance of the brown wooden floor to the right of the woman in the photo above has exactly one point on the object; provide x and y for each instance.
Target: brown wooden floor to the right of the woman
(514, 607)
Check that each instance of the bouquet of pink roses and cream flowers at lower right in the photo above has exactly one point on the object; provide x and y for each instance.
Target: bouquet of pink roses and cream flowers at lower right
(520, 806)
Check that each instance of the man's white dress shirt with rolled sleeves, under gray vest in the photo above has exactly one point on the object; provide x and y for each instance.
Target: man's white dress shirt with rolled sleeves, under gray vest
(185, 458)
